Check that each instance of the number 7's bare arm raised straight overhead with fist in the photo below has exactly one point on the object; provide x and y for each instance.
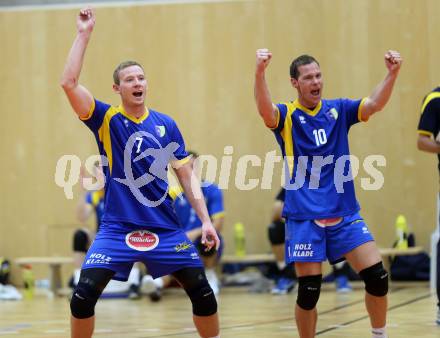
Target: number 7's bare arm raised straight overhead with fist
(79, 97)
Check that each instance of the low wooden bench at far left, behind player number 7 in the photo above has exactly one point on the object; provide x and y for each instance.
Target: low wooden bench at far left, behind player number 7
(54, 264)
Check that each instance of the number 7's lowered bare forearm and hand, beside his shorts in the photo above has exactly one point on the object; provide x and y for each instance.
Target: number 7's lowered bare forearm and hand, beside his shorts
(191, 188)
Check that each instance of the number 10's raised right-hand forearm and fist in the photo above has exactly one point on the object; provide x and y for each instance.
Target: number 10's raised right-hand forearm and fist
(381, 94)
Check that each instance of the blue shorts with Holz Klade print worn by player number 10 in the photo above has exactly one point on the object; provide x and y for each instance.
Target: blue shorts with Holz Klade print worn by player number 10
(308, 242)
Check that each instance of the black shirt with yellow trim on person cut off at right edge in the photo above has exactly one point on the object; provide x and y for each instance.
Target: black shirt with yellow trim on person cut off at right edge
(430, 119)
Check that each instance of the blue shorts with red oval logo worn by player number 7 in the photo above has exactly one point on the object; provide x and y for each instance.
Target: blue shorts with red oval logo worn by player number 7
(118, 246)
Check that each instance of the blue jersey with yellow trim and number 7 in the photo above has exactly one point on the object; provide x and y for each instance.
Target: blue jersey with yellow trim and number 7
(138, 153)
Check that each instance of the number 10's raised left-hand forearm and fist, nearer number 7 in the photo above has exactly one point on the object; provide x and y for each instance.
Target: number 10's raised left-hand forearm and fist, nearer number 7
(266, 108)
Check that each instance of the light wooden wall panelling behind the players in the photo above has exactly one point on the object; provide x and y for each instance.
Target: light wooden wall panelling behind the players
(199, 59)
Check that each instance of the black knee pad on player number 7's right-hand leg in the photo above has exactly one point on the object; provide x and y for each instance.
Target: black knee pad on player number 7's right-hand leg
(203, 299)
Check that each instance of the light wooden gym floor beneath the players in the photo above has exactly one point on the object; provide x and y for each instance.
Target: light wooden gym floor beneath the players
(411, 314)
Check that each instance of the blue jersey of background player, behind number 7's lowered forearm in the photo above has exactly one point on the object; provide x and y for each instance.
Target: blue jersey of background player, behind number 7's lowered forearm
(186, 214)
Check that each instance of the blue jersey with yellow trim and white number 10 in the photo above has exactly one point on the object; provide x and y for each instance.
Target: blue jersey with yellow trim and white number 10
(319, 137)
